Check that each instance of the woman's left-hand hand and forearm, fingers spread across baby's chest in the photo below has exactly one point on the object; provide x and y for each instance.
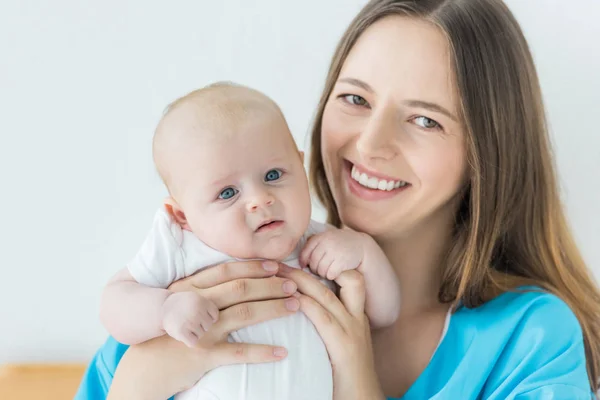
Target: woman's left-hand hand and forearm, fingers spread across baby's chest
(246, 293)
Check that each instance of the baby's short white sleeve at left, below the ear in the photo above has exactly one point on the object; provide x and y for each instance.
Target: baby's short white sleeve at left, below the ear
(160, 261)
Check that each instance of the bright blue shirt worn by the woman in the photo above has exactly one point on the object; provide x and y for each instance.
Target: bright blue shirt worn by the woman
(518, 346)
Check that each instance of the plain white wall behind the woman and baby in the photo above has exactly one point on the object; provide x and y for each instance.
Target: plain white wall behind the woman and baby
(81, 87)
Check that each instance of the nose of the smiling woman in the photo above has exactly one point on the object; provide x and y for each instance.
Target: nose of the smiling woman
(377, 140)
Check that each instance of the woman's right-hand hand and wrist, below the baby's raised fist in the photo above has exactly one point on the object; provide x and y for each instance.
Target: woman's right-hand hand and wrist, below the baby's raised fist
(345, 330)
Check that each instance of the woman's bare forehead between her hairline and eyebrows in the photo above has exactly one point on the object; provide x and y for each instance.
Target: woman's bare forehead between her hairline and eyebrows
(408, 57)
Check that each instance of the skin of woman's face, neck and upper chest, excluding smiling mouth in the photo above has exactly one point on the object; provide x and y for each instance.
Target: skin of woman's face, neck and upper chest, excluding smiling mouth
(386, 131)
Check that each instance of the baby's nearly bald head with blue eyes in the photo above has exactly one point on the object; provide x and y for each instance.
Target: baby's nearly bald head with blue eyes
(234, 174)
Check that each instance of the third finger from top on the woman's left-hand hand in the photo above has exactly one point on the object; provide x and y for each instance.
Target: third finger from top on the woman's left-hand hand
(246, 314)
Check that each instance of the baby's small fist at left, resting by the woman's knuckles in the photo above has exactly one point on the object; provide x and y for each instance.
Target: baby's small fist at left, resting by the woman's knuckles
(187, 315)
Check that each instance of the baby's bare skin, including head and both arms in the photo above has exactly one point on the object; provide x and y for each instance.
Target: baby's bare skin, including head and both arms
(230, 172)
